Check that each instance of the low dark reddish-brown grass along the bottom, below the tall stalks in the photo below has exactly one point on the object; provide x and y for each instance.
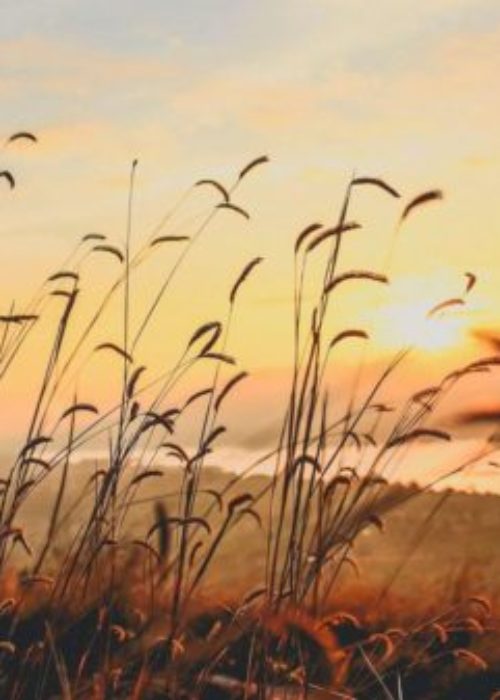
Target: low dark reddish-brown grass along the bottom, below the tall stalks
(109, 647)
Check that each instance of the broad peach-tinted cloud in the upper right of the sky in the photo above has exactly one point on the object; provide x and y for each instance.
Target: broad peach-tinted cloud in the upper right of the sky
(313, 92)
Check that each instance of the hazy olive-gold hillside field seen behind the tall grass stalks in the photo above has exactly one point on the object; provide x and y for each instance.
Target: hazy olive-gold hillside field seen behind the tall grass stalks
(430, 541)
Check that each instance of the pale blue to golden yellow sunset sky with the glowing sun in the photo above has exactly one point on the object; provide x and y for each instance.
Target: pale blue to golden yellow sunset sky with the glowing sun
(404, 91)
